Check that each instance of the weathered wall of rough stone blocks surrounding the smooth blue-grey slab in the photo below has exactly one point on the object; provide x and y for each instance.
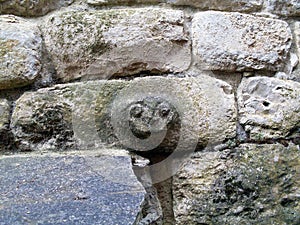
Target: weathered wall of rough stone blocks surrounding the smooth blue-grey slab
(214, 81)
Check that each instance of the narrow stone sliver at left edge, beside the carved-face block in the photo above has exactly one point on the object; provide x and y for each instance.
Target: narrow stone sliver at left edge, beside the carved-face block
(4, 123)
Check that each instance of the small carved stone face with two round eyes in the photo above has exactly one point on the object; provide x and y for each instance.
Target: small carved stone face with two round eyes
(152, 115)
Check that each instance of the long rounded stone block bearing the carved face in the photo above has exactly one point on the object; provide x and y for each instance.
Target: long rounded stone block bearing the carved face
(101, 111)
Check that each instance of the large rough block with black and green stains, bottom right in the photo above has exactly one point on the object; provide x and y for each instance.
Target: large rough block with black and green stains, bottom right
(251, 184)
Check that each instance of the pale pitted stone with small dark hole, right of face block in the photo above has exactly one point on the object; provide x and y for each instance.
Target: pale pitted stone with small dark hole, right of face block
(269, 107)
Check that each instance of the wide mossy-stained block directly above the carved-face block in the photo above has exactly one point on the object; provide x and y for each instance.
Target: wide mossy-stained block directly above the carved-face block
(100, 44)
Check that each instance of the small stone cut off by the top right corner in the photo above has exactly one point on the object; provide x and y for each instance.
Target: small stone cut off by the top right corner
(283, 7)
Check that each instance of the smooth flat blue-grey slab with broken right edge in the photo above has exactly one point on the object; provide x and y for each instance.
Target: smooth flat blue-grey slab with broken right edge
(94, 187)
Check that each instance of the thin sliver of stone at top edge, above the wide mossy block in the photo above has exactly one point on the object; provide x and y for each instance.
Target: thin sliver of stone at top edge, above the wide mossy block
(121, 2)
